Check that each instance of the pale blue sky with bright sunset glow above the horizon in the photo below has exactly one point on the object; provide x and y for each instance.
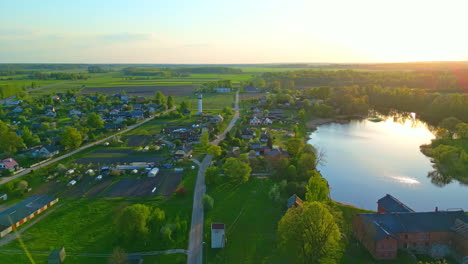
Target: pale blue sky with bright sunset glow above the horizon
(230, 32)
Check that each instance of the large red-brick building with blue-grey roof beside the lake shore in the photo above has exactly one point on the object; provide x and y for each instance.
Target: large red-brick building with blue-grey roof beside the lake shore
(437, 233)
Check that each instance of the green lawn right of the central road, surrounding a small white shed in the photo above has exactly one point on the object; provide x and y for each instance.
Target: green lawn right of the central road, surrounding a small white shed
(251, 220)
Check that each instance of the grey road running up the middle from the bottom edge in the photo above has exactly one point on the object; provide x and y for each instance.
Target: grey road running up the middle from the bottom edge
(195, 250)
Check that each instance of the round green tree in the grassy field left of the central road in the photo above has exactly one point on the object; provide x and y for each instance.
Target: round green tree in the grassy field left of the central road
(133, 221)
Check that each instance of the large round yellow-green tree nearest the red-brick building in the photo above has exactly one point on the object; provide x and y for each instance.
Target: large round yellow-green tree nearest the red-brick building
(311, 230)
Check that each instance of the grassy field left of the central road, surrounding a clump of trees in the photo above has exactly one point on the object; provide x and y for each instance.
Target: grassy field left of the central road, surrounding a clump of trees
(87, 225)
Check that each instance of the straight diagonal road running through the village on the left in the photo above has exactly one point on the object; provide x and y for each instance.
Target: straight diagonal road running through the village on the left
(28, 170)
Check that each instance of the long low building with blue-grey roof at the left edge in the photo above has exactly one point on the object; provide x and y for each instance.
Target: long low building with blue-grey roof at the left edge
(24, 211)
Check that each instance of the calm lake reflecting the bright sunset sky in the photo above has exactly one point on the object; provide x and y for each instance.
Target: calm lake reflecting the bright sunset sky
(365, 160)
